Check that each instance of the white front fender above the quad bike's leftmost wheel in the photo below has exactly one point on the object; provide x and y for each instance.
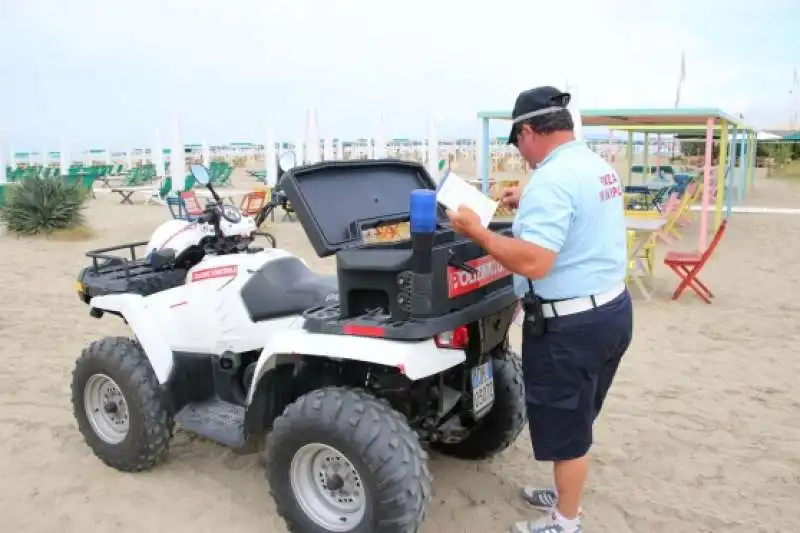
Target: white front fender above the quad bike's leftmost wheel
(133, 308)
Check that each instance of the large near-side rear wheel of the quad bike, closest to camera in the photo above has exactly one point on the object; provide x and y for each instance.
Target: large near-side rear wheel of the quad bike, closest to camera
(342, 461)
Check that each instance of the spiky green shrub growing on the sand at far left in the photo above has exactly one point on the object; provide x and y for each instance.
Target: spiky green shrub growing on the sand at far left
(42, 205)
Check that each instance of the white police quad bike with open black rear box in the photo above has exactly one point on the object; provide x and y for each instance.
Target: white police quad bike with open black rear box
(350, 376)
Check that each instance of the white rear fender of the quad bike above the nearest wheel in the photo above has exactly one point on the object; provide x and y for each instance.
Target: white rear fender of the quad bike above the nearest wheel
(416, 359)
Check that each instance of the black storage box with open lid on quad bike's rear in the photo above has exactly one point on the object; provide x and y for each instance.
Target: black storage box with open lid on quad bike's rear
(344, 205)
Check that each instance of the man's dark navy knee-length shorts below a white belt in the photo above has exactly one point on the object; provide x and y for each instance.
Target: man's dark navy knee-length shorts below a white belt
(568, 372)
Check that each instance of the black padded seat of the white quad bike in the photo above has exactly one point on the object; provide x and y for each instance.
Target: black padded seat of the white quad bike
(287, 287)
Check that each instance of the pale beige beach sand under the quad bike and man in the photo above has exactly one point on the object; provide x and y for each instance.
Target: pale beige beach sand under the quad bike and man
(701, 431)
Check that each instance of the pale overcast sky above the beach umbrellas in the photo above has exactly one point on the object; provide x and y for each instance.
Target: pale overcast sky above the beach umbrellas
(108, 73)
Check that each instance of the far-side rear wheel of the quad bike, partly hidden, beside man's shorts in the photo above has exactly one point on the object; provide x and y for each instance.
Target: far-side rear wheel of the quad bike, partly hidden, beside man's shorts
(504, 422)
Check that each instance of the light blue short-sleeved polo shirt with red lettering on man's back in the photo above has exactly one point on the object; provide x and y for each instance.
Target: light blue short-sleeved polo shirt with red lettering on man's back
(573, 205)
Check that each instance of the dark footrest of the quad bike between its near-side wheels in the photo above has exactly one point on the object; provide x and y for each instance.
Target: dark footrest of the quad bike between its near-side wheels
(217, 420)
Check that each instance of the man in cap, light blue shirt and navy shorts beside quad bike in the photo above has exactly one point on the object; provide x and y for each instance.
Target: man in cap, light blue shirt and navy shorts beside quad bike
(569, 259)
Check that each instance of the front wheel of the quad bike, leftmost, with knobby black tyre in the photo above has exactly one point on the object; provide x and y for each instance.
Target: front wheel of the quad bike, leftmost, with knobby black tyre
(118, 405)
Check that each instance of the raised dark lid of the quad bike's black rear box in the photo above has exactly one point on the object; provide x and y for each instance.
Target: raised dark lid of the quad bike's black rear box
(330, 197)
